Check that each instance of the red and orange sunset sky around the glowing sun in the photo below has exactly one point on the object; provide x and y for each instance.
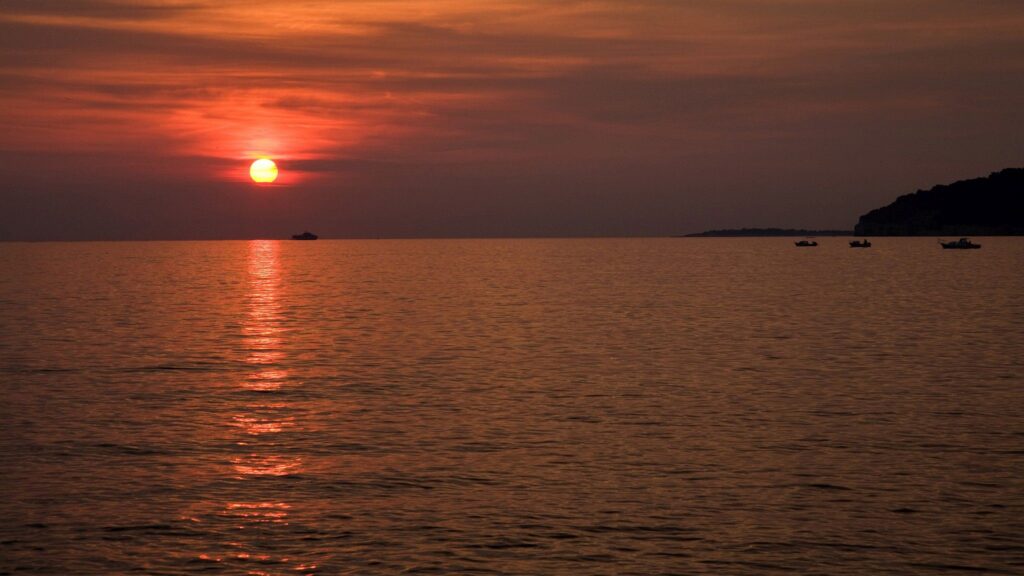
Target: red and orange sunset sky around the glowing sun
(138, 120)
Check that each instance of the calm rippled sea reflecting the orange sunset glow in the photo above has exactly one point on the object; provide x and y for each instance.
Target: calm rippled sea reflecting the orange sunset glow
(513, 407)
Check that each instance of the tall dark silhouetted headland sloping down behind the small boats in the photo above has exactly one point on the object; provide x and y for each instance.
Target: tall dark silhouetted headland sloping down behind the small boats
(990, 207)
